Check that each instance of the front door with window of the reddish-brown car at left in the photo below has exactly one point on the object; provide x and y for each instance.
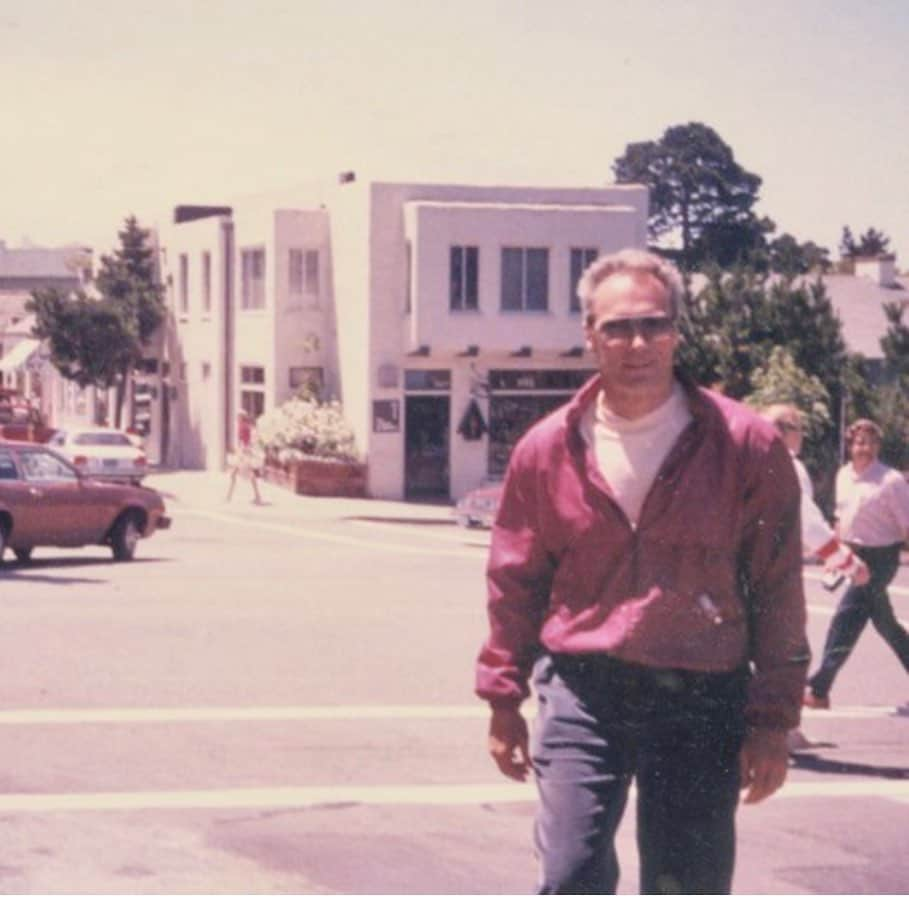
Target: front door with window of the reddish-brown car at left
(65, 516)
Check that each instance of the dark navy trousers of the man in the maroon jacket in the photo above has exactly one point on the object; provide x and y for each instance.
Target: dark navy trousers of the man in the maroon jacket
(602, 723)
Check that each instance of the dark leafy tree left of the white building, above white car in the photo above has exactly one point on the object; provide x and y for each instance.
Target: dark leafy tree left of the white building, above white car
(98, 341)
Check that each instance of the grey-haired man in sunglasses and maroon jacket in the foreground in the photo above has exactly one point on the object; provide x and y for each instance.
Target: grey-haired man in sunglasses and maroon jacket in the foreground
(645, 567)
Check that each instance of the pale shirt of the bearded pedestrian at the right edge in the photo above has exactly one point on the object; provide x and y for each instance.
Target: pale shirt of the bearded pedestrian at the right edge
(872, 507)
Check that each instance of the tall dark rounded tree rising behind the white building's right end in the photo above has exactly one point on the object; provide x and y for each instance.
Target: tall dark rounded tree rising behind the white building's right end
(699, 194)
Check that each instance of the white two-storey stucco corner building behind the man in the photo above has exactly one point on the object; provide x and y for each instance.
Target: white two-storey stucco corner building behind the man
(443, 317)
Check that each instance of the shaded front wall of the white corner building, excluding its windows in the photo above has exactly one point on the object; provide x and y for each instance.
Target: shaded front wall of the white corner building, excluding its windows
(429, 220)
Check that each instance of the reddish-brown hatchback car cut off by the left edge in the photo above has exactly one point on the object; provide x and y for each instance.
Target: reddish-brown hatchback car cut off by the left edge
(46, 501)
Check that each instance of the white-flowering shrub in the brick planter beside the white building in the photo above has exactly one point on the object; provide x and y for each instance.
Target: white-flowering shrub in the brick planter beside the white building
(306, 428)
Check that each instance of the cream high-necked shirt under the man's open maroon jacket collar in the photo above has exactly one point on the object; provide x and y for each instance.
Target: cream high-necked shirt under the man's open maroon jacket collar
(630, 453)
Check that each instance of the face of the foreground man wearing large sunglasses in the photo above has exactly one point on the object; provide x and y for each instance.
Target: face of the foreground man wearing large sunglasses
(633, 336)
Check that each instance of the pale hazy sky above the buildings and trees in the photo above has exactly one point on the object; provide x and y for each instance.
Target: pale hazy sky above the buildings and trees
(118, 107)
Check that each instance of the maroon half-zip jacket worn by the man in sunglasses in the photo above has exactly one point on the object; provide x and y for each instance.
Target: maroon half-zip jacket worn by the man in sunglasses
(709, 580)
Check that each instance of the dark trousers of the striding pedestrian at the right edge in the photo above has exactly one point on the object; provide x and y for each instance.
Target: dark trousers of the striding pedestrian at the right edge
(855, 608)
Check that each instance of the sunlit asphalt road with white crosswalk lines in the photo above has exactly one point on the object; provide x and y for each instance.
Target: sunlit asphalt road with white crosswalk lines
(278, 700)
